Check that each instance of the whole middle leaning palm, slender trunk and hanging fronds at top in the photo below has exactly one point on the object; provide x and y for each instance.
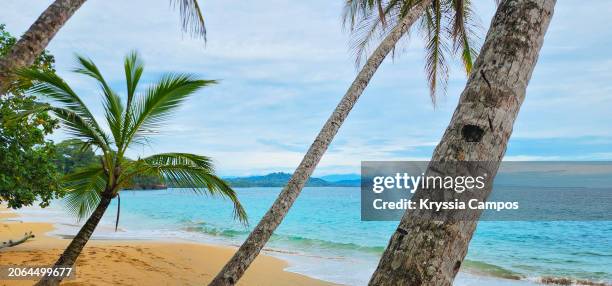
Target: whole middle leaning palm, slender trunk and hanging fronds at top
(404, 14)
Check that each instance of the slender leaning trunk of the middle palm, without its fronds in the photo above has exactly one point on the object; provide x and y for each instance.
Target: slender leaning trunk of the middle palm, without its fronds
(235, 268)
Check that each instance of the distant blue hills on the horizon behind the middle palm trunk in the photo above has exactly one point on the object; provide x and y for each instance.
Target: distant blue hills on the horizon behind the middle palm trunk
(281, 179)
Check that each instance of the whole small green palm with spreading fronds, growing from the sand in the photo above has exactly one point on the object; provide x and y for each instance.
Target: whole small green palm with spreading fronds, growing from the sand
(90, 190)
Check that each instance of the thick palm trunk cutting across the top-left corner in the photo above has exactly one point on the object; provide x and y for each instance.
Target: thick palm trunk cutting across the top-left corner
(36, 39)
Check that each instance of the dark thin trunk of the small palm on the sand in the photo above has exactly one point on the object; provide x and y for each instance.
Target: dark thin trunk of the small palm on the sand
(70, 255)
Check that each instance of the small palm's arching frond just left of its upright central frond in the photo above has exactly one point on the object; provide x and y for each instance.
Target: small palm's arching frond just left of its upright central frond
(113, 108)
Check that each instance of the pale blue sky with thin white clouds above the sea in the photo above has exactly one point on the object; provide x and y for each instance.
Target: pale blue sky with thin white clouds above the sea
(283, 66)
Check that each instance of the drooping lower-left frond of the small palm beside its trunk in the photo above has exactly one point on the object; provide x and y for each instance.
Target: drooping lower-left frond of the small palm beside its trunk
(83, 190)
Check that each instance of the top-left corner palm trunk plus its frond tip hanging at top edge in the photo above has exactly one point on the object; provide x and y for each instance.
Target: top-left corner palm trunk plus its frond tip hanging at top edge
(38, 36)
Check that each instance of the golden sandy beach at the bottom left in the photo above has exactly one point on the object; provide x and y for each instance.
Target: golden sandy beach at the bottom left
(119, 262)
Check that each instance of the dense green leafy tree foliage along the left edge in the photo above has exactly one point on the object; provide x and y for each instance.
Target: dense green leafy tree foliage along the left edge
(27, 173)
